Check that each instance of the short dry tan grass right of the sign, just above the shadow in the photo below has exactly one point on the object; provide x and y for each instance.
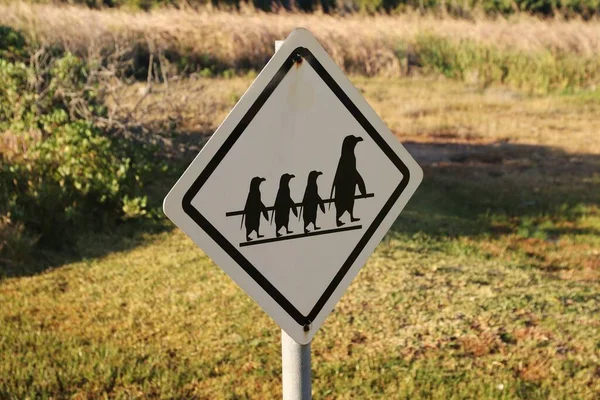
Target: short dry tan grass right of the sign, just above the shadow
(436, 110)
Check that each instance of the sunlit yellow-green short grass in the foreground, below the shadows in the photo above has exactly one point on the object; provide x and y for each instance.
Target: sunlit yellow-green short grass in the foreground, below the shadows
(433, 314)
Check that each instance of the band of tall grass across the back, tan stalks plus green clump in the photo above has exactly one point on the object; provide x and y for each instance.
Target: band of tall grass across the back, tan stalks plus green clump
(524, 52)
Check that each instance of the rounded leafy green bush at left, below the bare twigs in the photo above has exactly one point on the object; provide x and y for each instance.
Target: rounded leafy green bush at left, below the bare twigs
(76, 177)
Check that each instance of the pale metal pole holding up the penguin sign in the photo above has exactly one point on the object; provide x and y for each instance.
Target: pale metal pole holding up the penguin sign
(295, 358)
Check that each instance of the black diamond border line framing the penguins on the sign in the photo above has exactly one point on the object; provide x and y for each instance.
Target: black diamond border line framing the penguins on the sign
(296, 56)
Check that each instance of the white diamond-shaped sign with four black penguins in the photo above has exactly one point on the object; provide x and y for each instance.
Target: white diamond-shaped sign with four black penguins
(296, 188)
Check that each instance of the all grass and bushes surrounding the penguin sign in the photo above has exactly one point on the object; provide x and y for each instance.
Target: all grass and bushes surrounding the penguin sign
(488, 286)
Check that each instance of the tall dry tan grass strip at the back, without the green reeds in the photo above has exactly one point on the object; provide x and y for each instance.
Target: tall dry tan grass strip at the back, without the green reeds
(246, 38)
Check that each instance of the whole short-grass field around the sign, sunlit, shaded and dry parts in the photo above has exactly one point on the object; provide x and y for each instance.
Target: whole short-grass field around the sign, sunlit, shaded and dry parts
(487, 287)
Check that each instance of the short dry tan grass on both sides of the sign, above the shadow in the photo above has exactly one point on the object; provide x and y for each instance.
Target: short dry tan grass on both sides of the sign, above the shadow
(415, 109)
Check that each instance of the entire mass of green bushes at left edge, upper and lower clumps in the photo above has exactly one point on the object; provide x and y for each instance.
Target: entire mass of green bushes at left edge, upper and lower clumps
(59, 172)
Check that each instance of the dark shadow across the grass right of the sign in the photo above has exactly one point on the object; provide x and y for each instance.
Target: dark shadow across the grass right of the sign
(474, 189)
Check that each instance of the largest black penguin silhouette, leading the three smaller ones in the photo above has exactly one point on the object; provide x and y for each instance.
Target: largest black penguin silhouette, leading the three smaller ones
(345, 181)
